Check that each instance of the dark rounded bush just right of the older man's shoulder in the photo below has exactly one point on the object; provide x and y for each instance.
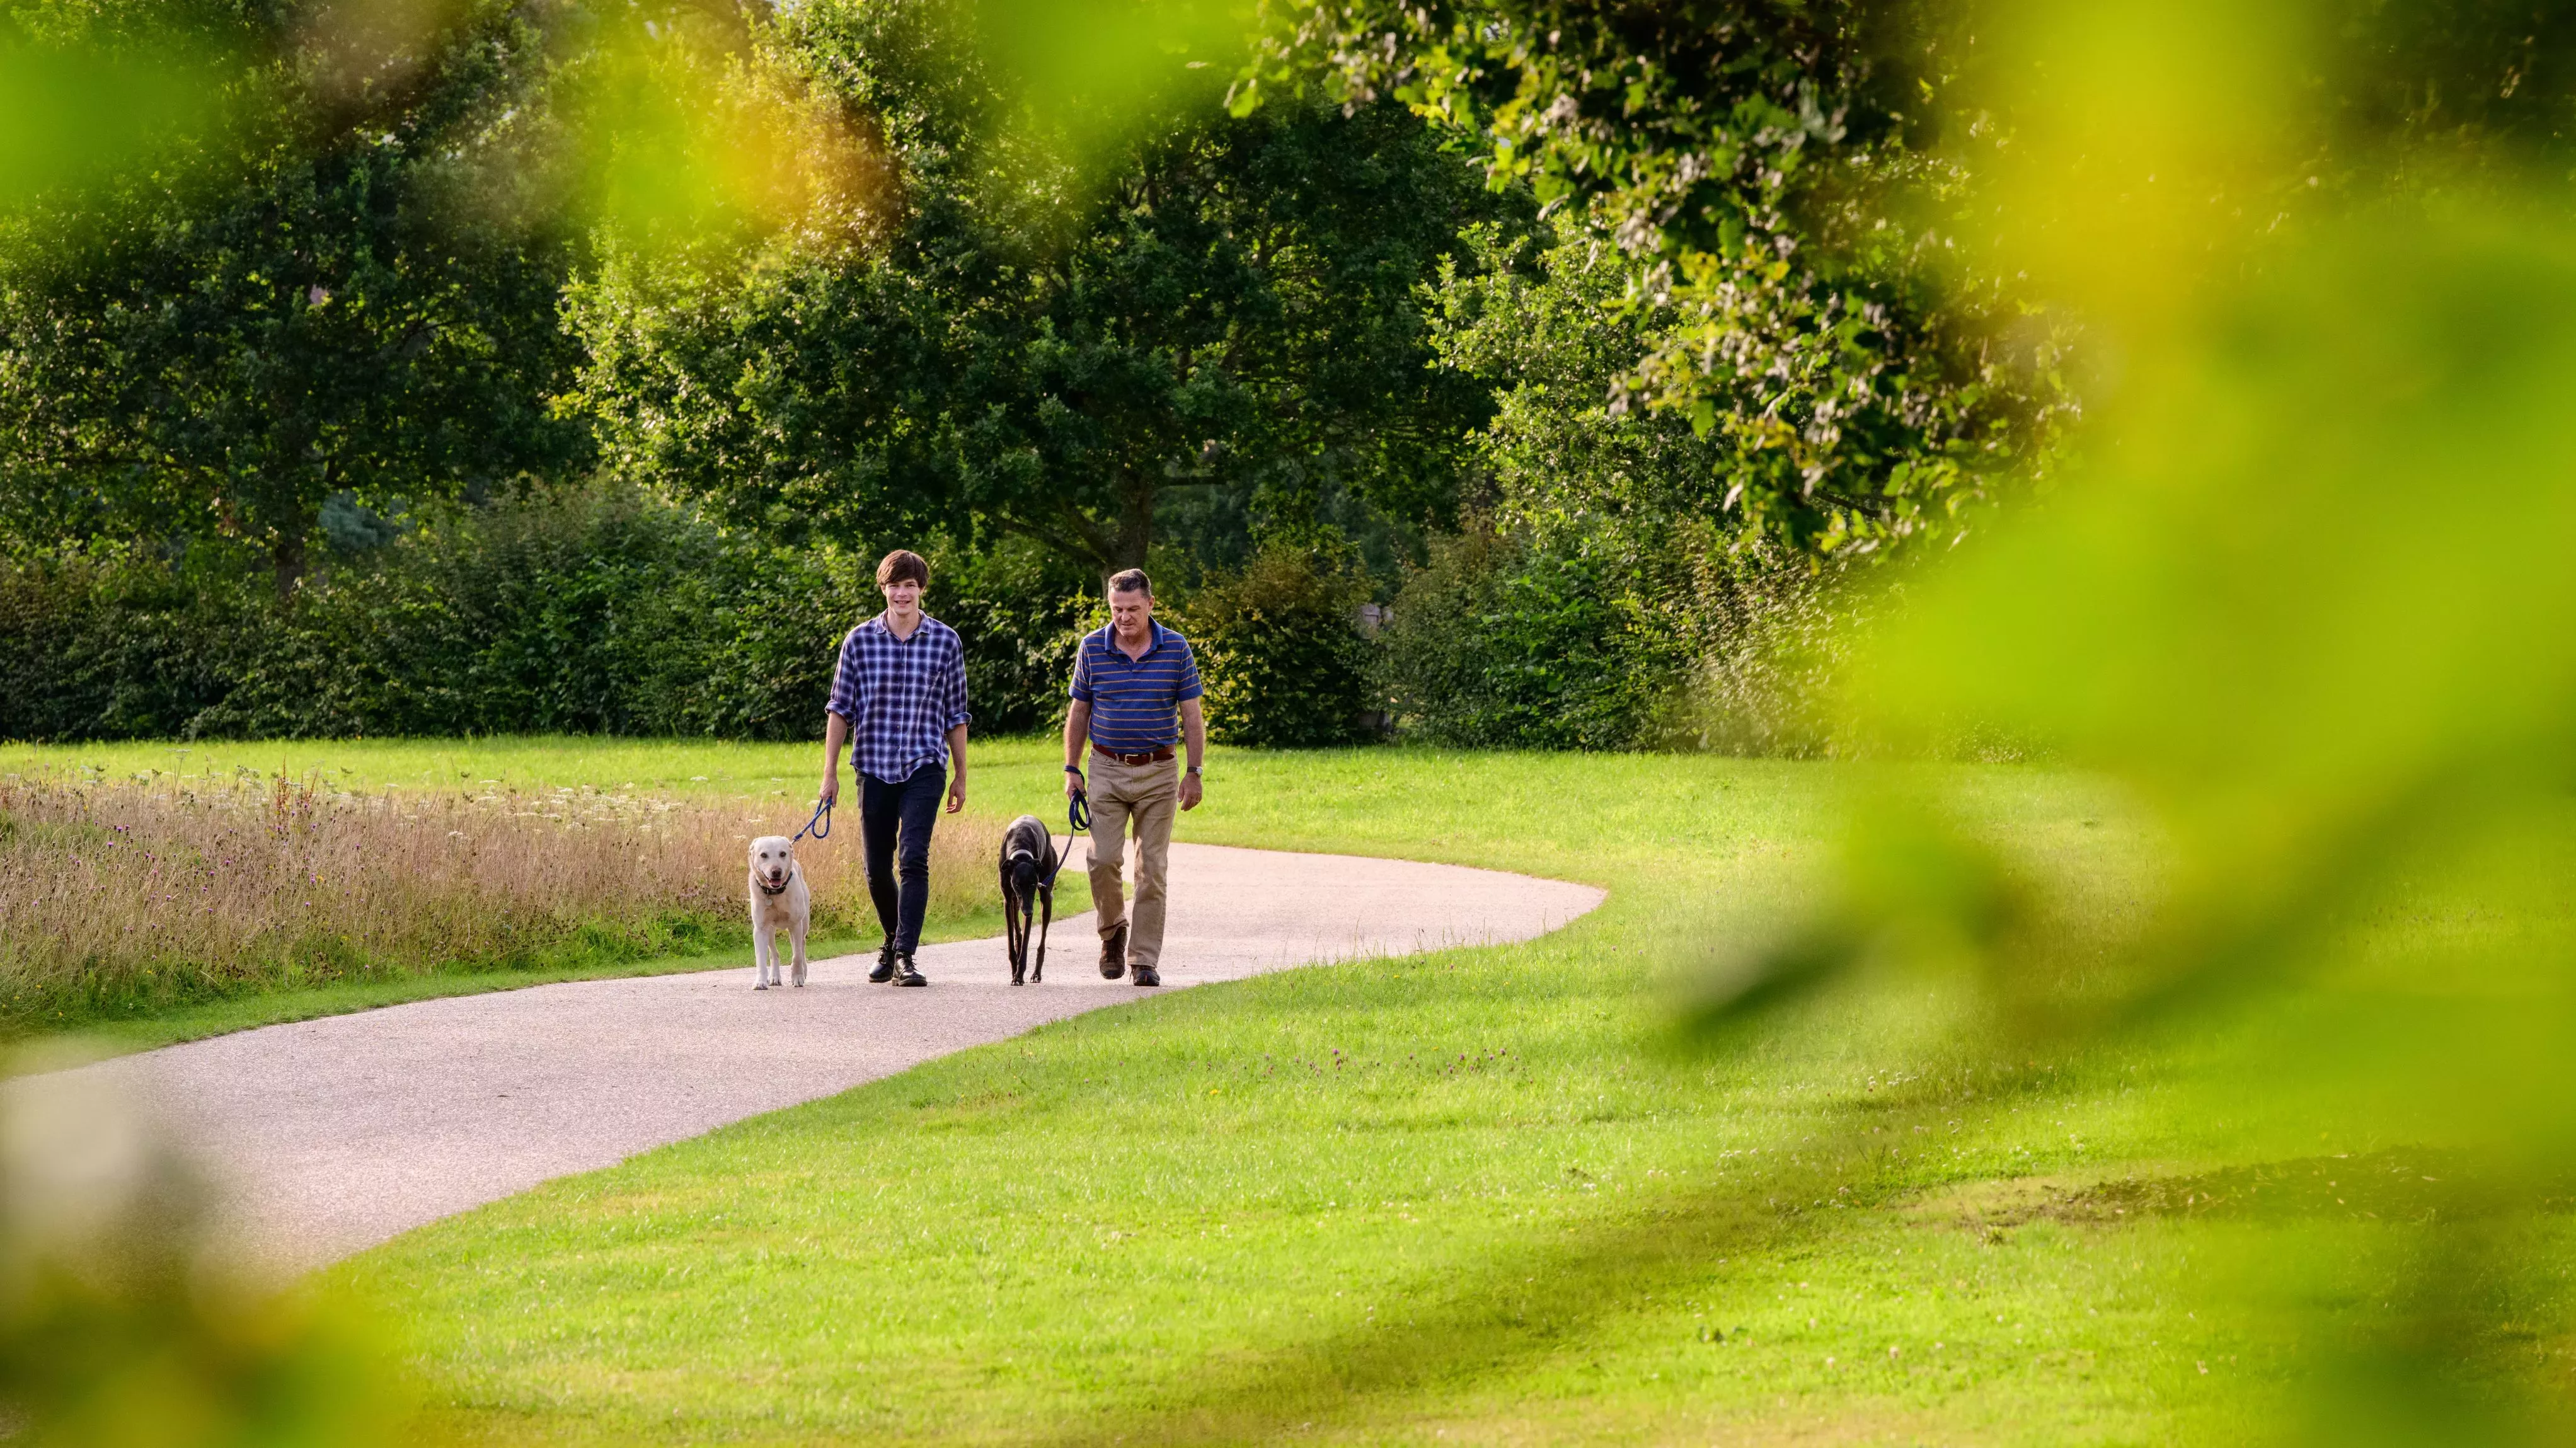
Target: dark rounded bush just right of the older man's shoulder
(1282, 651)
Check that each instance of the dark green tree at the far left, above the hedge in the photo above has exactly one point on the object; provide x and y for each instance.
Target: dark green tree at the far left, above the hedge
(354, 303)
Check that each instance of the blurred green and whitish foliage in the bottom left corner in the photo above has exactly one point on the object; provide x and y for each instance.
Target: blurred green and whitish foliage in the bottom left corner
(128, 1313)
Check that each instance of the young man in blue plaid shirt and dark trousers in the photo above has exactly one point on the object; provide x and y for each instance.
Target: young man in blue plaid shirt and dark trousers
(900, 694)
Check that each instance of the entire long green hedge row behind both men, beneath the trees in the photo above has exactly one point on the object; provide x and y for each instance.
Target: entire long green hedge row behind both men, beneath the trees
(612, 614)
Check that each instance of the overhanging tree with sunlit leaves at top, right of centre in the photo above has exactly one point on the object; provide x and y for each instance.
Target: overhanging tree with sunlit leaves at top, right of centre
(1761, 174)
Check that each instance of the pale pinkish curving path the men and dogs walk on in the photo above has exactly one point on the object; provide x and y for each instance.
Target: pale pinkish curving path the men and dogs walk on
(344, 1132)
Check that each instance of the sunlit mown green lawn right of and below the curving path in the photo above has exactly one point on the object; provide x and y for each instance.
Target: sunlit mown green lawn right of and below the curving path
(1477, 1197)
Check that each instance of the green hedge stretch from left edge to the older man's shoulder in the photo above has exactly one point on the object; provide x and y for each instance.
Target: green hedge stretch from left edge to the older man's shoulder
(589, 612)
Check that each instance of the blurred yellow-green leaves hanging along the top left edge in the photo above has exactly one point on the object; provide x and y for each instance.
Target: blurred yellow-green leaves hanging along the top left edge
(658, 120)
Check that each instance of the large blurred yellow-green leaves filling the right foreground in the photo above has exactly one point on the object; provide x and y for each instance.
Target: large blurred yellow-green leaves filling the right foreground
(2307, 591)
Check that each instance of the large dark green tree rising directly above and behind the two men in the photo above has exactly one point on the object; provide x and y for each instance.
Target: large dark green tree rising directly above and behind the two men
(1235, 303)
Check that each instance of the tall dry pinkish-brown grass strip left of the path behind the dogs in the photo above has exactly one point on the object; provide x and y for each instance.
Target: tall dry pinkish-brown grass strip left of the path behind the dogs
(117, 895)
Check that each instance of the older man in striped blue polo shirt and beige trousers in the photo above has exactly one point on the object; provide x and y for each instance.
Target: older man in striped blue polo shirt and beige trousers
(1135, 697)
